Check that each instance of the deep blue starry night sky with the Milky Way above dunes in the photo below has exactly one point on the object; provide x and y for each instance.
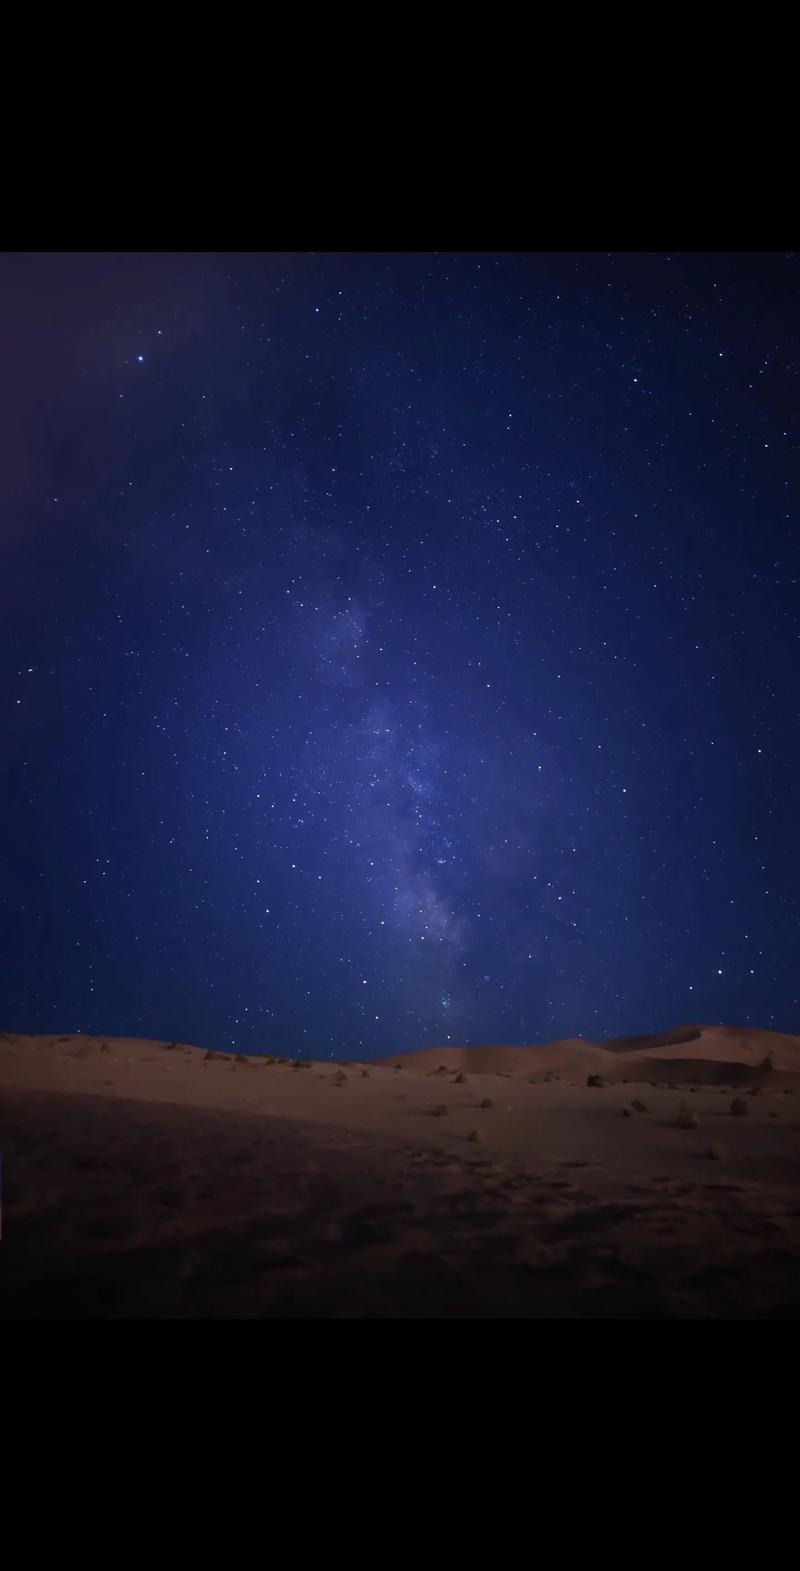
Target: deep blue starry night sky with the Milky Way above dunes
(398, 648)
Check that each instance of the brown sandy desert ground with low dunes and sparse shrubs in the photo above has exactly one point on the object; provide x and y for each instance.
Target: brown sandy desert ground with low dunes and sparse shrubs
(156, 1181)
